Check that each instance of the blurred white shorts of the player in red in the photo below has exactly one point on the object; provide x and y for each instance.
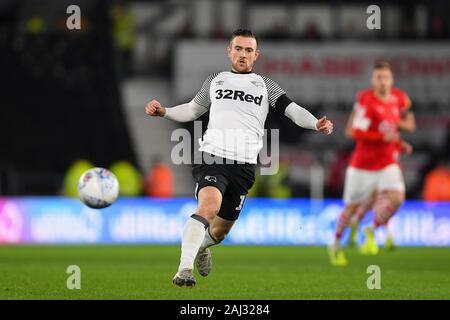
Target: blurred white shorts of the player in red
(361, 184)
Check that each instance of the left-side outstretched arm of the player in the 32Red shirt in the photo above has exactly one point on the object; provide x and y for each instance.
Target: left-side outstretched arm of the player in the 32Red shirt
(182, 113)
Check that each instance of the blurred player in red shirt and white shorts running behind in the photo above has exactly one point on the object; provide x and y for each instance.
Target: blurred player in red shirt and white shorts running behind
(374, 178)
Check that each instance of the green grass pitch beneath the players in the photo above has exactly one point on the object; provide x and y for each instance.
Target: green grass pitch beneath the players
(239, 272)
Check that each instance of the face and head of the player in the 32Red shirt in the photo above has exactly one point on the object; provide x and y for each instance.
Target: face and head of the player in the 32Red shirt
(243, 53)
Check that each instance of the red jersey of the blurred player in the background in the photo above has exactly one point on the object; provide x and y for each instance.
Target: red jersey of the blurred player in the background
(373, 118)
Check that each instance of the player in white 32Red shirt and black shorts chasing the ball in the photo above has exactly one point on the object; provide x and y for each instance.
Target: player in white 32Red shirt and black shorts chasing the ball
(238, 101)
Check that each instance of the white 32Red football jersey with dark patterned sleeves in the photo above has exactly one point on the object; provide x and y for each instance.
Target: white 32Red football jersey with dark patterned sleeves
(238, 104)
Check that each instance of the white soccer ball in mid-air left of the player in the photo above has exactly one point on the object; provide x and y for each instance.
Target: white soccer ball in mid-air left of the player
(98, 188)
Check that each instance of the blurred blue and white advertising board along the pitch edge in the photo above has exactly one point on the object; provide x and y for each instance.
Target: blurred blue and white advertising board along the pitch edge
(263, 221)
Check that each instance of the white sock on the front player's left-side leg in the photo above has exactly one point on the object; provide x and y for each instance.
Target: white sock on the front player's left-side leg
(193, 235)
